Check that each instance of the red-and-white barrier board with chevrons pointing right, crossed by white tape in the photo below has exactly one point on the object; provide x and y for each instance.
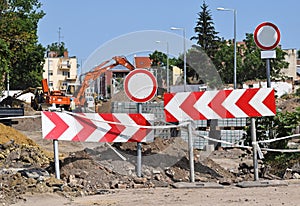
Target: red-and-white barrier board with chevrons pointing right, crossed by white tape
(93, 127)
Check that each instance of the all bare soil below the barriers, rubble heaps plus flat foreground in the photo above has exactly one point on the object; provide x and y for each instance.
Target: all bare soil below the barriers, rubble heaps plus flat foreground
(96, 174)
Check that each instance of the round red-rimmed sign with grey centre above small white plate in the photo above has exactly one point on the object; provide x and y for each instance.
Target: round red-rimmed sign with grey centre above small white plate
(266, 36)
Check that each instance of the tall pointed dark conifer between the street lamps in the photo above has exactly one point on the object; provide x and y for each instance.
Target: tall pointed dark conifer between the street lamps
(206, 36)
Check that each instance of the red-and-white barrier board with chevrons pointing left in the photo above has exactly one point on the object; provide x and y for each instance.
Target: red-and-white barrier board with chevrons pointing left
(220, 104)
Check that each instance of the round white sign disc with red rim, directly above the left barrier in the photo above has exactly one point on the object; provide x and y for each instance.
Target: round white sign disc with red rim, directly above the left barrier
(140, 85)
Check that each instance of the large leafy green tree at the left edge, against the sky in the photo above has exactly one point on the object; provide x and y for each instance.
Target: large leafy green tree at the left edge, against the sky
(24, 55)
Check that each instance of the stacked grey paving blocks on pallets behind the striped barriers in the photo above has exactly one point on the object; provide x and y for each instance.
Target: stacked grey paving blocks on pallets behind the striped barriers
(230, 130)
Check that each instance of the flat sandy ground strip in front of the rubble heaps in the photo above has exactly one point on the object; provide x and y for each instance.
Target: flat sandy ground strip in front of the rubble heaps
(232, 196)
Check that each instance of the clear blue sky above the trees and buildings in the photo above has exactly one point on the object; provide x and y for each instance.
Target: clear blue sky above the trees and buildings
(86, 26)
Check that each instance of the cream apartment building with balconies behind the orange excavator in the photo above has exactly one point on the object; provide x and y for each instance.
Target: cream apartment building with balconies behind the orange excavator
(60, 71)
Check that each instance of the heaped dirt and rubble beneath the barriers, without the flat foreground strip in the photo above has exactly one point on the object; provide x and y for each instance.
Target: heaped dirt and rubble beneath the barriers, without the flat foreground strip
(26, 166)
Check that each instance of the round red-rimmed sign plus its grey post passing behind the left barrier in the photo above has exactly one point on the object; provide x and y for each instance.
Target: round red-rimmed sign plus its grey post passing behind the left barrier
(140, 86)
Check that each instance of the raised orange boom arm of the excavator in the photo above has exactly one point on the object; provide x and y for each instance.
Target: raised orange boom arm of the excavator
(79, 95)
